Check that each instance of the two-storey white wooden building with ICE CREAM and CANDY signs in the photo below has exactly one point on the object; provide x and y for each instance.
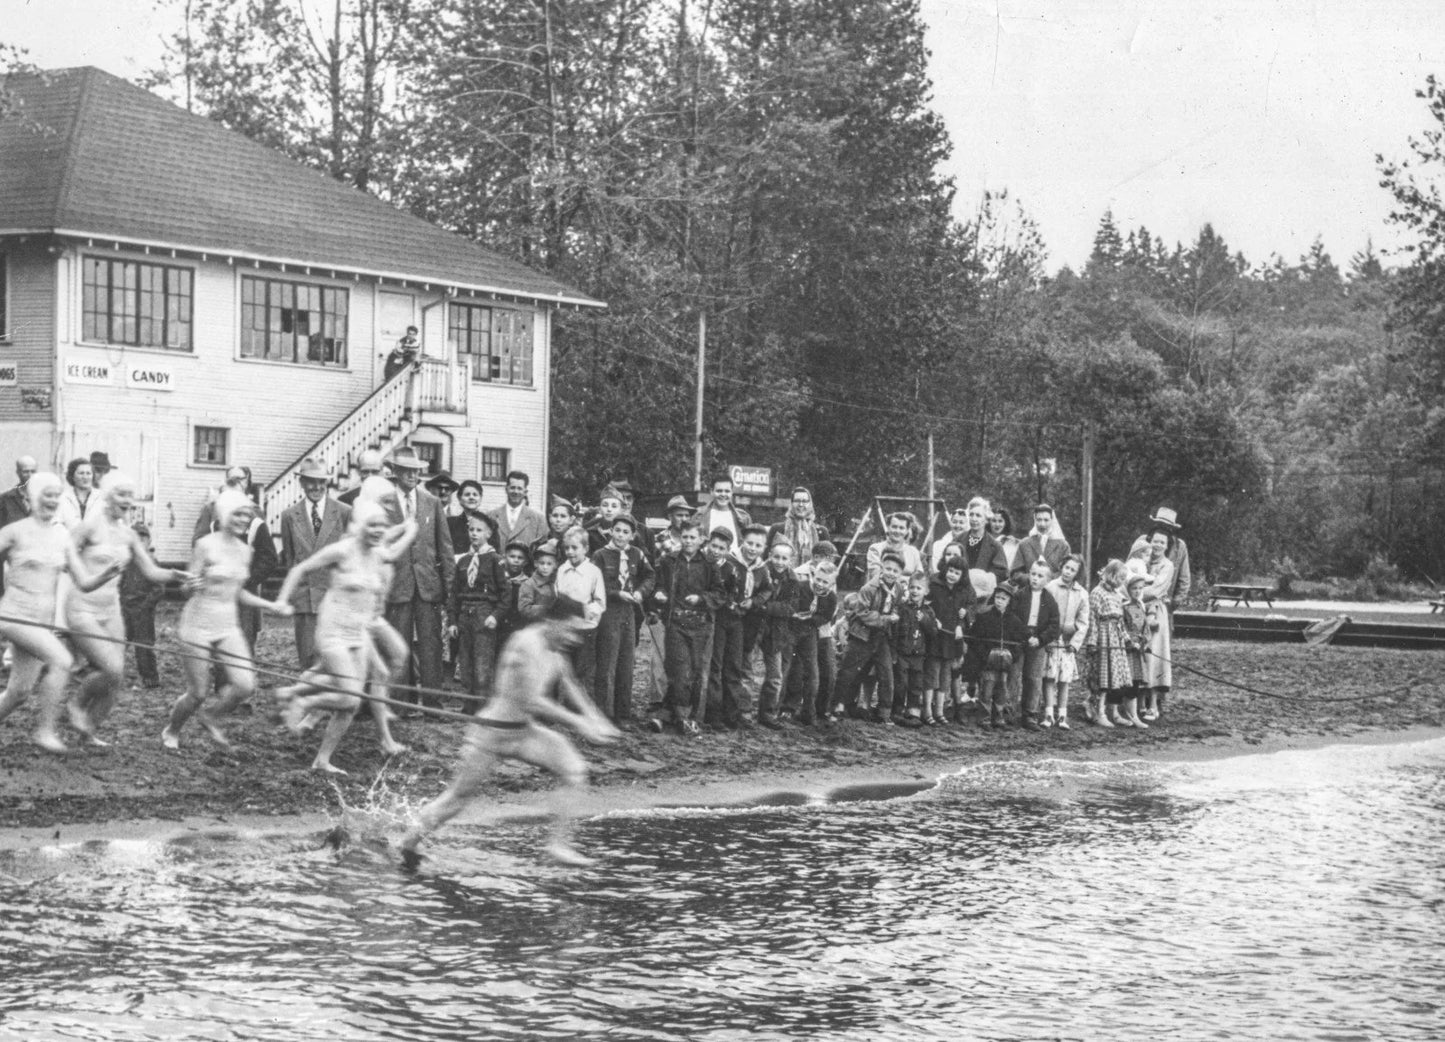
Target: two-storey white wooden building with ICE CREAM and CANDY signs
(184, 298)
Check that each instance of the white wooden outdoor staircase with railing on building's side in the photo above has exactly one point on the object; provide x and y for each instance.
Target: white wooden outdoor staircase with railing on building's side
(384, 423)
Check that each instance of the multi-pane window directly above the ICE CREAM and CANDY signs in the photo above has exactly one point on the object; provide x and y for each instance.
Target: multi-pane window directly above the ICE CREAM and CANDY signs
(129, 303)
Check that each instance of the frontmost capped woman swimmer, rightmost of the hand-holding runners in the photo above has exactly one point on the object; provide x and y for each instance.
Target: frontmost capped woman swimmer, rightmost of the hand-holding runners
(361, 576)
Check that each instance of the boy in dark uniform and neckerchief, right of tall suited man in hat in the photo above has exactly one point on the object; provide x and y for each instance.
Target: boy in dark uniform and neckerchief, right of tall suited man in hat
(480, 600)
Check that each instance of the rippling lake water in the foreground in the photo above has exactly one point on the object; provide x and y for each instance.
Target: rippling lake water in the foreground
(1282, 897)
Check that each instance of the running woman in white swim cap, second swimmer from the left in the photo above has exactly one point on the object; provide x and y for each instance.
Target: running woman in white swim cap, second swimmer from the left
(93, 618)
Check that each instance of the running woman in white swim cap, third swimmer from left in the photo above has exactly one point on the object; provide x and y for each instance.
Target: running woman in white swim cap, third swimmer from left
(210, 622)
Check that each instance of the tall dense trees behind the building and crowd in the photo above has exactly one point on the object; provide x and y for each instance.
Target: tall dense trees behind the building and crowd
(774, 164)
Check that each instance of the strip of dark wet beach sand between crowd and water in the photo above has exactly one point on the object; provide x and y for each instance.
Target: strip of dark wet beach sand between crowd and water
(139, 788)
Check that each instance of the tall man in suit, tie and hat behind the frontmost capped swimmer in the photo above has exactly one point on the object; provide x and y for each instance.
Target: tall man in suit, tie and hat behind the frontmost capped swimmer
(414, 606)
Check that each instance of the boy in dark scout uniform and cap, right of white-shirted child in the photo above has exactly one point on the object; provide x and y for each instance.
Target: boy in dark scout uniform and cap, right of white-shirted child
(628, 577)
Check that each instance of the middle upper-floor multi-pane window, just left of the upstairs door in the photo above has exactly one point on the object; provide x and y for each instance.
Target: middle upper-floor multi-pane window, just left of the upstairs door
(294, 322)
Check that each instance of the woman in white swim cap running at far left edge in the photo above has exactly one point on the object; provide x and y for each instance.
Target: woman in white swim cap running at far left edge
(38, 551)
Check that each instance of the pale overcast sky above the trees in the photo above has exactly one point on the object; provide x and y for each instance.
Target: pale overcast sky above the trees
(1259, 116)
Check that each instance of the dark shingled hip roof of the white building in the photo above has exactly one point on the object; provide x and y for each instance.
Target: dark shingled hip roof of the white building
(116, 163)
